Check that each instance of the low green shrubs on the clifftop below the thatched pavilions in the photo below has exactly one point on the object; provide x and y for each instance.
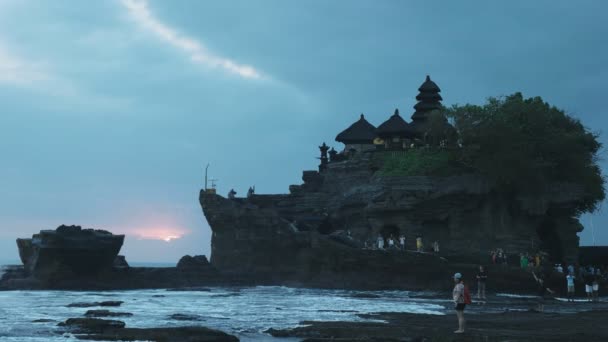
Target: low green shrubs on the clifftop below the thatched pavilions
(418, 162)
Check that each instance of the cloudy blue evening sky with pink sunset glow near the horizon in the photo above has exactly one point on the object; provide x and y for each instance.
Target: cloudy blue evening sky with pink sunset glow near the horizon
(110, 110)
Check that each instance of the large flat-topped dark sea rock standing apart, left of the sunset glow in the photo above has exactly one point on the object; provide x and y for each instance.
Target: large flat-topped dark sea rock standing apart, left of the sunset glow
(69, 250)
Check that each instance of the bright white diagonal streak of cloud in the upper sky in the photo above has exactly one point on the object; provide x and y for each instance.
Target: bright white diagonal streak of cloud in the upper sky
(140, 11)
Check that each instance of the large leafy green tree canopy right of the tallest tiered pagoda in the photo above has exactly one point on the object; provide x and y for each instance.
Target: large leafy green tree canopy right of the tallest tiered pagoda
(526, 145)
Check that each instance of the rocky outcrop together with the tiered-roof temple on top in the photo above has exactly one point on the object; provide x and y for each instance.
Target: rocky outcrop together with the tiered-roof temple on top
(370, 191)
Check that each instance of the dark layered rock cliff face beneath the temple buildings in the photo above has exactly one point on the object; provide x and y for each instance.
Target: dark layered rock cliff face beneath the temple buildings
(322, 226)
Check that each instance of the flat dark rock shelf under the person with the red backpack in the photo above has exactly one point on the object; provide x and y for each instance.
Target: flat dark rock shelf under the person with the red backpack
(509, 326)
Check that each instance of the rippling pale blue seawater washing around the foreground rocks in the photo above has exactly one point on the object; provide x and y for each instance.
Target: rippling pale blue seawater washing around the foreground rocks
(246, 312)
